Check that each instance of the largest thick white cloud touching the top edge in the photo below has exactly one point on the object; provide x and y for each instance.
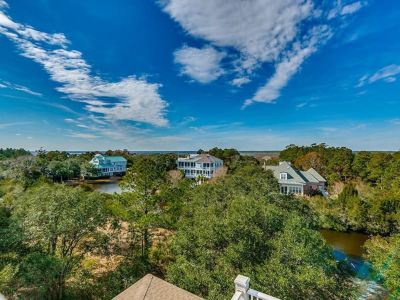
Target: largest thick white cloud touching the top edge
(258, 29)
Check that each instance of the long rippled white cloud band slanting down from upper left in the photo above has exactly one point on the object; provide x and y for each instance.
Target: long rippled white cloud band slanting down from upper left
(131, 98)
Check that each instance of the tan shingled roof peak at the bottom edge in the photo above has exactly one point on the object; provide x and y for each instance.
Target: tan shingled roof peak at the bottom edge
(151, 287)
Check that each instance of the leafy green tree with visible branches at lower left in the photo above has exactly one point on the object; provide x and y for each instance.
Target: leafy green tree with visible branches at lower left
(57, 223)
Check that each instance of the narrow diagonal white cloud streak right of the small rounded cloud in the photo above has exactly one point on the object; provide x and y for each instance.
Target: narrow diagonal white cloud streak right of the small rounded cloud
(289, 66)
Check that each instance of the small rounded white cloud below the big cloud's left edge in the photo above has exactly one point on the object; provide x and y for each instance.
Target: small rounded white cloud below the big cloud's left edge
(202, 64)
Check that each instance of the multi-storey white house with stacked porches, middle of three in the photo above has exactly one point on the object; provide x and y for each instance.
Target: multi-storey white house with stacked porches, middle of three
(199, 165)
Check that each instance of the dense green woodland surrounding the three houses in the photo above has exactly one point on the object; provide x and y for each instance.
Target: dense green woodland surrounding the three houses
(65, 241)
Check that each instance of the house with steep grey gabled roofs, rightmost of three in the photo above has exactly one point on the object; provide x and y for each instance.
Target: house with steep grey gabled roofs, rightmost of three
(294, 181)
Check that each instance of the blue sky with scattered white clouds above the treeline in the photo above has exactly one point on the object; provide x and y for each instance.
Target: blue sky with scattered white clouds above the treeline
(188, 74)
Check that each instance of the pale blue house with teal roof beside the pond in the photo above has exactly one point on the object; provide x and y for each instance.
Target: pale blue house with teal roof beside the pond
(109, 165)
